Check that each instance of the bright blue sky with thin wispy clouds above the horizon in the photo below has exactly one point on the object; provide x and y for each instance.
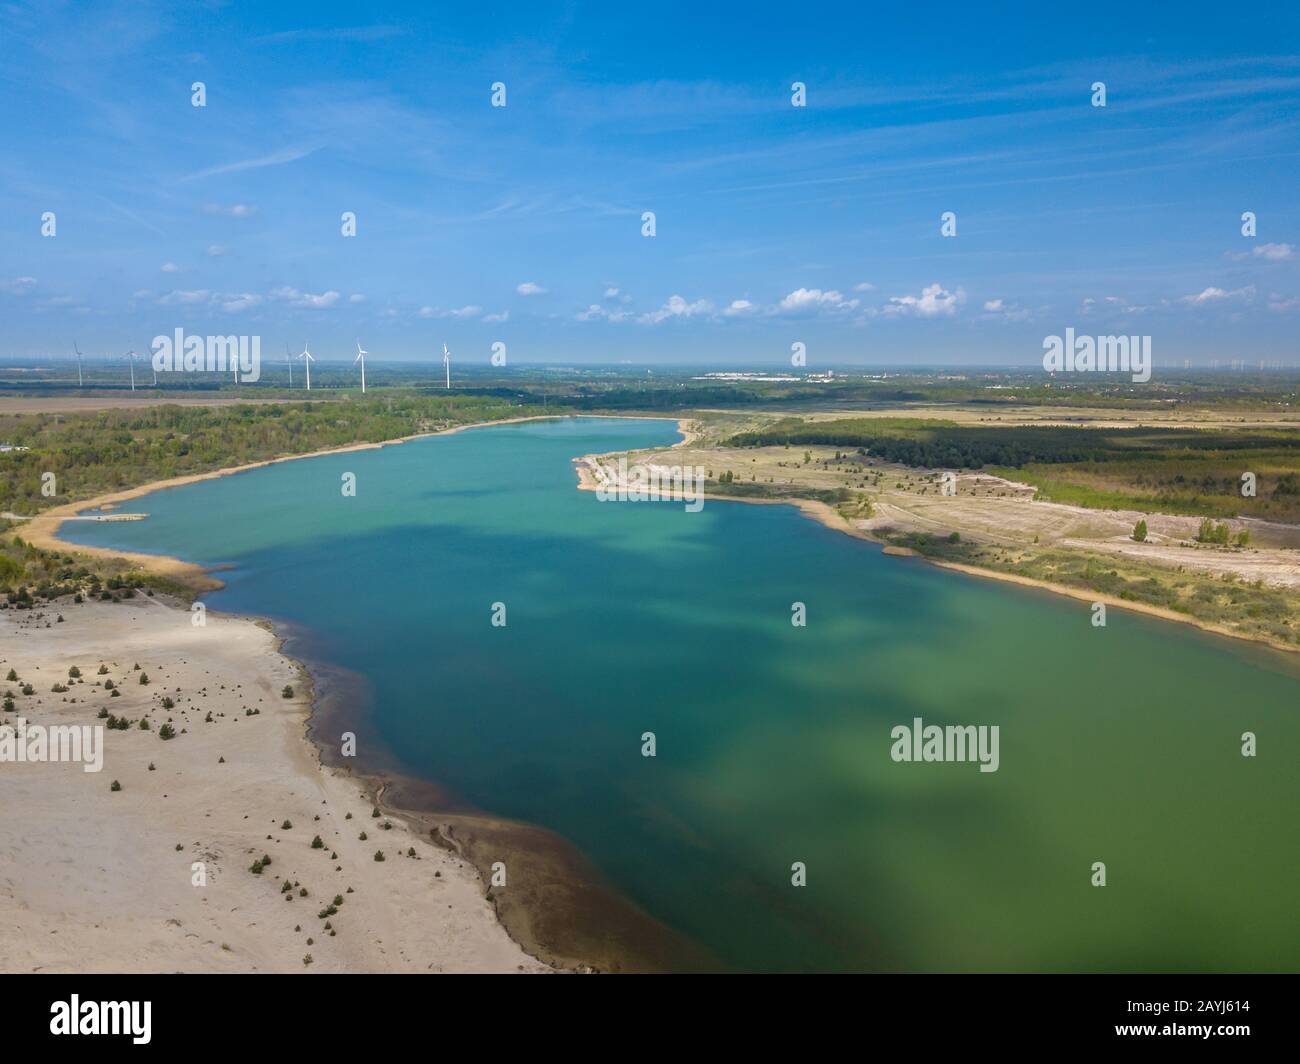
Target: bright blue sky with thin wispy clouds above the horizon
(774, 224)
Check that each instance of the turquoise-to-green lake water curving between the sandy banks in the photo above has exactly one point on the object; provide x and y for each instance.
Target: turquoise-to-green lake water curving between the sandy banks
(1119, 745)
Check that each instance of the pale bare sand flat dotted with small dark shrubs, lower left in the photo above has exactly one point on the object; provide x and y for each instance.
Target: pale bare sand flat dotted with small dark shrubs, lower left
(94, 880)
